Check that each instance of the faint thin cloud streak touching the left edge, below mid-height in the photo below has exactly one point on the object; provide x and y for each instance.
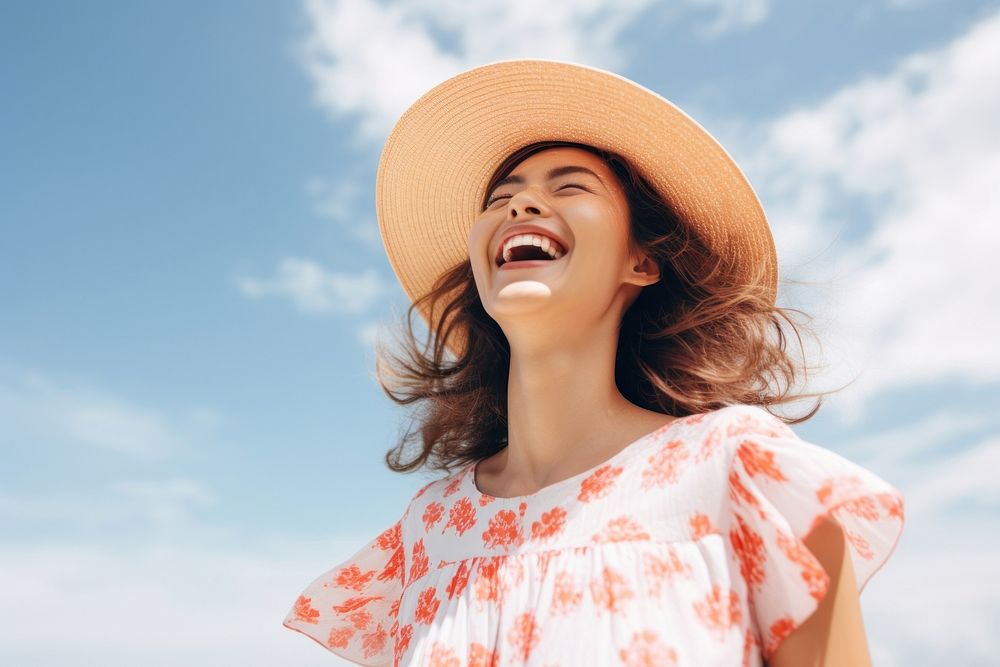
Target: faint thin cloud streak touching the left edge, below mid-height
(36, 407)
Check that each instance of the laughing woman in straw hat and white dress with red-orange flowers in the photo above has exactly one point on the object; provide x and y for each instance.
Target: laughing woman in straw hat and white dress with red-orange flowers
(599, 281)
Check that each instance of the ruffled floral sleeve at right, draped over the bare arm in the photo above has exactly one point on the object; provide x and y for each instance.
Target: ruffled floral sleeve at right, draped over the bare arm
(780, 488)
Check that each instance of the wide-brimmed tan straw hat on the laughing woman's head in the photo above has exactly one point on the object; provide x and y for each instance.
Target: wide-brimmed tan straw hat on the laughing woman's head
(438, 159)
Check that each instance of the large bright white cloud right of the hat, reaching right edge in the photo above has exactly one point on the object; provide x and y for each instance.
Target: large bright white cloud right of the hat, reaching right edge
(919, 150)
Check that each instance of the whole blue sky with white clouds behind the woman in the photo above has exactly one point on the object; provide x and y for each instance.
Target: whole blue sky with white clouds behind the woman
(191, 279)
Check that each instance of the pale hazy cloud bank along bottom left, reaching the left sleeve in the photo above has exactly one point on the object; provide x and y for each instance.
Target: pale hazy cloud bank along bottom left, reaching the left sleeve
(123, 606)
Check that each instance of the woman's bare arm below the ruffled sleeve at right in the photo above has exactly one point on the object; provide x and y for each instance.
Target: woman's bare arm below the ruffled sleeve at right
(834, 635)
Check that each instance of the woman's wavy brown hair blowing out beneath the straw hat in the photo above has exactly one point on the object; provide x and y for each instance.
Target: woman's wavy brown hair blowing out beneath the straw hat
(690, 343)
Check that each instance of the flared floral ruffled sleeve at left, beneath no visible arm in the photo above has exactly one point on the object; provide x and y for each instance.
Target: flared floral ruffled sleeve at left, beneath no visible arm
(352, 608)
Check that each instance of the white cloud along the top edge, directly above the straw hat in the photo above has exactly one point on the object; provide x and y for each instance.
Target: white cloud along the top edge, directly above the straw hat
(371, 60)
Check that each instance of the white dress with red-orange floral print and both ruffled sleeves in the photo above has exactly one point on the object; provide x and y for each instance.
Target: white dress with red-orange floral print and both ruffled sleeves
(684, 548)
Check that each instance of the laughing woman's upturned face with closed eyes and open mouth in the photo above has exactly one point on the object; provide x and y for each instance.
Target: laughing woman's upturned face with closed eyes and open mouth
(571, 196)
